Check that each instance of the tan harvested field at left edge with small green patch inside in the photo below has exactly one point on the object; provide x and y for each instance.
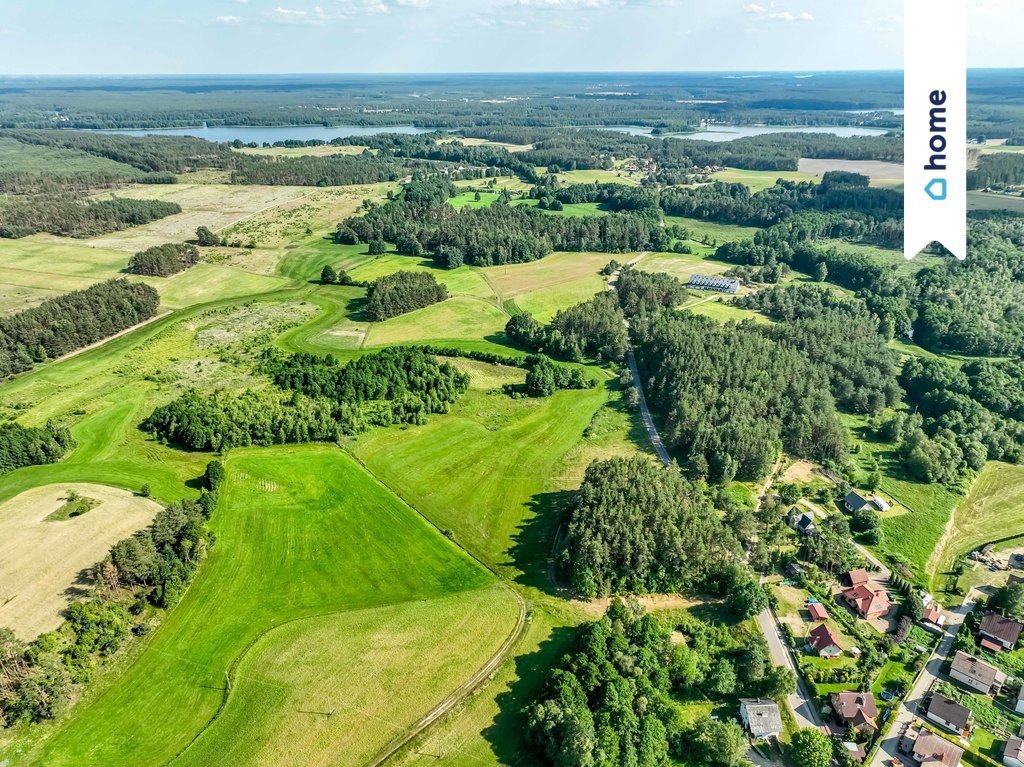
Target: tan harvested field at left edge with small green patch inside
(41, 560)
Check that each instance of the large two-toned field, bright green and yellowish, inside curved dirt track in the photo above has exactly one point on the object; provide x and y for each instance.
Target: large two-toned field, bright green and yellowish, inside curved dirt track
(304, 533)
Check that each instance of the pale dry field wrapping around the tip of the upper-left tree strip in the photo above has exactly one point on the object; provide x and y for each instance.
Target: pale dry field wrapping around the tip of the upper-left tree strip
(212, 205)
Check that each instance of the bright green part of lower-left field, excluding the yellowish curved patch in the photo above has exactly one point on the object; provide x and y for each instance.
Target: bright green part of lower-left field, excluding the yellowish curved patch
(303, 532)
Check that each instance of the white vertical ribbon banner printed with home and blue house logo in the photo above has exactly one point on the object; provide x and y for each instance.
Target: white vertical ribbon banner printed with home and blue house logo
(935, 120)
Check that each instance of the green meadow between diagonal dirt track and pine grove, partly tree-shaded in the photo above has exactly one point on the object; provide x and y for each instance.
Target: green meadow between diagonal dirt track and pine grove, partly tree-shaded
(483, 472)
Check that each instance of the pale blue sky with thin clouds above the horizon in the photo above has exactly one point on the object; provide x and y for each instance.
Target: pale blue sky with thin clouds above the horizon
(412, 36)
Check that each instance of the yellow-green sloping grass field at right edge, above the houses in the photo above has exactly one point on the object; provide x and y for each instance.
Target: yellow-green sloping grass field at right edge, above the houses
(994, 509)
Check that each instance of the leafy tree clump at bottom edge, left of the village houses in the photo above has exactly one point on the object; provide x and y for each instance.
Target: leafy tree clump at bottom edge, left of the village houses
(611, 700)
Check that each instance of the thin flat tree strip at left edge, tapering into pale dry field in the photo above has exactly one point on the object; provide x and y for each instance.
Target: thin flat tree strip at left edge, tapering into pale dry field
(71, 216)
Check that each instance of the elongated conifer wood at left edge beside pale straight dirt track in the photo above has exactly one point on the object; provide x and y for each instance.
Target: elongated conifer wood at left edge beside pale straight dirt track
(70, 322)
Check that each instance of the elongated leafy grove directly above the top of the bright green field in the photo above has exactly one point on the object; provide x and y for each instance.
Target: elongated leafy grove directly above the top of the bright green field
(328, 401)
